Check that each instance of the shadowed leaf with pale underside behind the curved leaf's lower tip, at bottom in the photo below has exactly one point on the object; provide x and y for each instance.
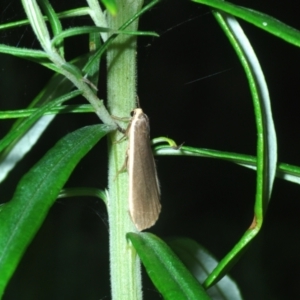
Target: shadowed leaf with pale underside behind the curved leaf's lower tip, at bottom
(201, 263)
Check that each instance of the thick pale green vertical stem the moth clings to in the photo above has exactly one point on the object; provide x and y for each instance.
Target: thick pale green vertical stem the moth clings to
(121, 95)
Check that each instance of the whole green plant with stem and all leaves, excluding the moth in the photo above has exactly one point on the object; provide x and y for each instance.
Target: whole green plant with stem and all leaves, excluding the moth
(179, 268)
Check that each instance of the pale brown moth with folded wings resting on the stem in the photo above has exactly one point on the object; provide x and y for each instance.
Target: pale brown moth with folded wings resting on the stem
(144, 192)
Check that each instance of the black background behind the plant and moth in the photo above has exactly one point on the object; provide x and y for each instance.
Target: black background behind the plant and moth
(207, 200)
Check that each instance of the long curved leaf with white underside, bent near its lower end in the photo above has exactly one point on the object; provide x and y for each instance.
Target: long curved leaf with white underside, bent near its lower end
(266, 142)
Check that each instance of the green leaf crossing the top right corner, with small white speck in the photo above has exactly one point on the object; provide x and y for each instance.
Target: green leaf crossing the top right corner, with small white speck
(258, 19)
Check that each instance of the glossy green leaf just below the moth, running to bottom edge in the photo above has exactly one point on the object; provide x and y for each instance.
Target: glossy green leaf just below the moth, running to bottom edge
(166, 271)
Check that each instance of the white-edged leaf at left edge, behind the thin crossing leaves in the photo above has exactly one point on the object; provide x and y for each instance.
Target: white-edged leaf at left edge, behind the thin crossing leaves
(22, 136)
